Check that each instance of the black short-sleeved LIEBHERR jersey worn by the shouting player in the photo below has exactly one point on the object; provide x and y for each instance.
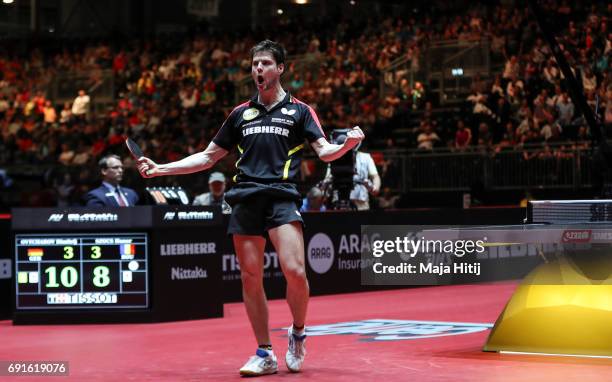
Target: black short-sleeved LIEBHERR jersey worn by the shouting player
(270, 142)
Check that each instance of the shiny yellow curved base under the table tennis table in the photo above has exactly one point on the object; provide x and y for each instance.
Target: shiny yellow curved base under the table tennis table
(562, 307)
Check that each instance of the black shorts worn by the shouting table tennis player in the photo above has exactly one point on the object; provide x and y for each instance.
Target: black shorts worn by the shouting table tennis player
(258, 213)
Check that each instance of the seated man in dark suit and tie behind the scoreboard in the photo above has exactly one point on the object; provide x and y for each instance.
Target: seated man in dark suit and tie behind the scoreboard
(110, 193)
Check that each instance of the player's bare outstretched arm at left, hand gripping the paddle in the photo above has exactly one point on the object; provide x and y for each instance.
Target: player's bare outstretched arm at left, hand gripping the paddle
(197, 162)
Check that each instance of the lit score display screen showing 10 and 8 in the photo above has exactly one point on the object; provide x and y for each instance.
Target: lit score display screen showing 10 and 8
(61, 271)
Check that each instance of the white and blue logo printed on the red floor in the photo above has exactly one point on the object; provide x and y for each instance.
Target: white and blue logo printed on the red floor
(397, 330)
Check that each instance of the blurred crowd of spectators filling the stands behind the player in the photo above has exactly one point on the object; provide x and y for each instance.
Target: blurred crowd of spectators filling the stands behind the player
(172, 94)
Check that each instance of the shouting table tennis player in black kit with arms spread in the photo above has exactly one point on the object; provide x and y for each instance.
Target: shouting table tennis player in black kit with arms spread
(269, 132)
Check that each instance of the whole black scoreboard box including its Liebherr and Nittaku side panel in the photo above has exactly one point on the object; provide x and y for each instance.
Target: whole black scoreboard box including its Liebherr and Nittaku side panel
(109, 265)
